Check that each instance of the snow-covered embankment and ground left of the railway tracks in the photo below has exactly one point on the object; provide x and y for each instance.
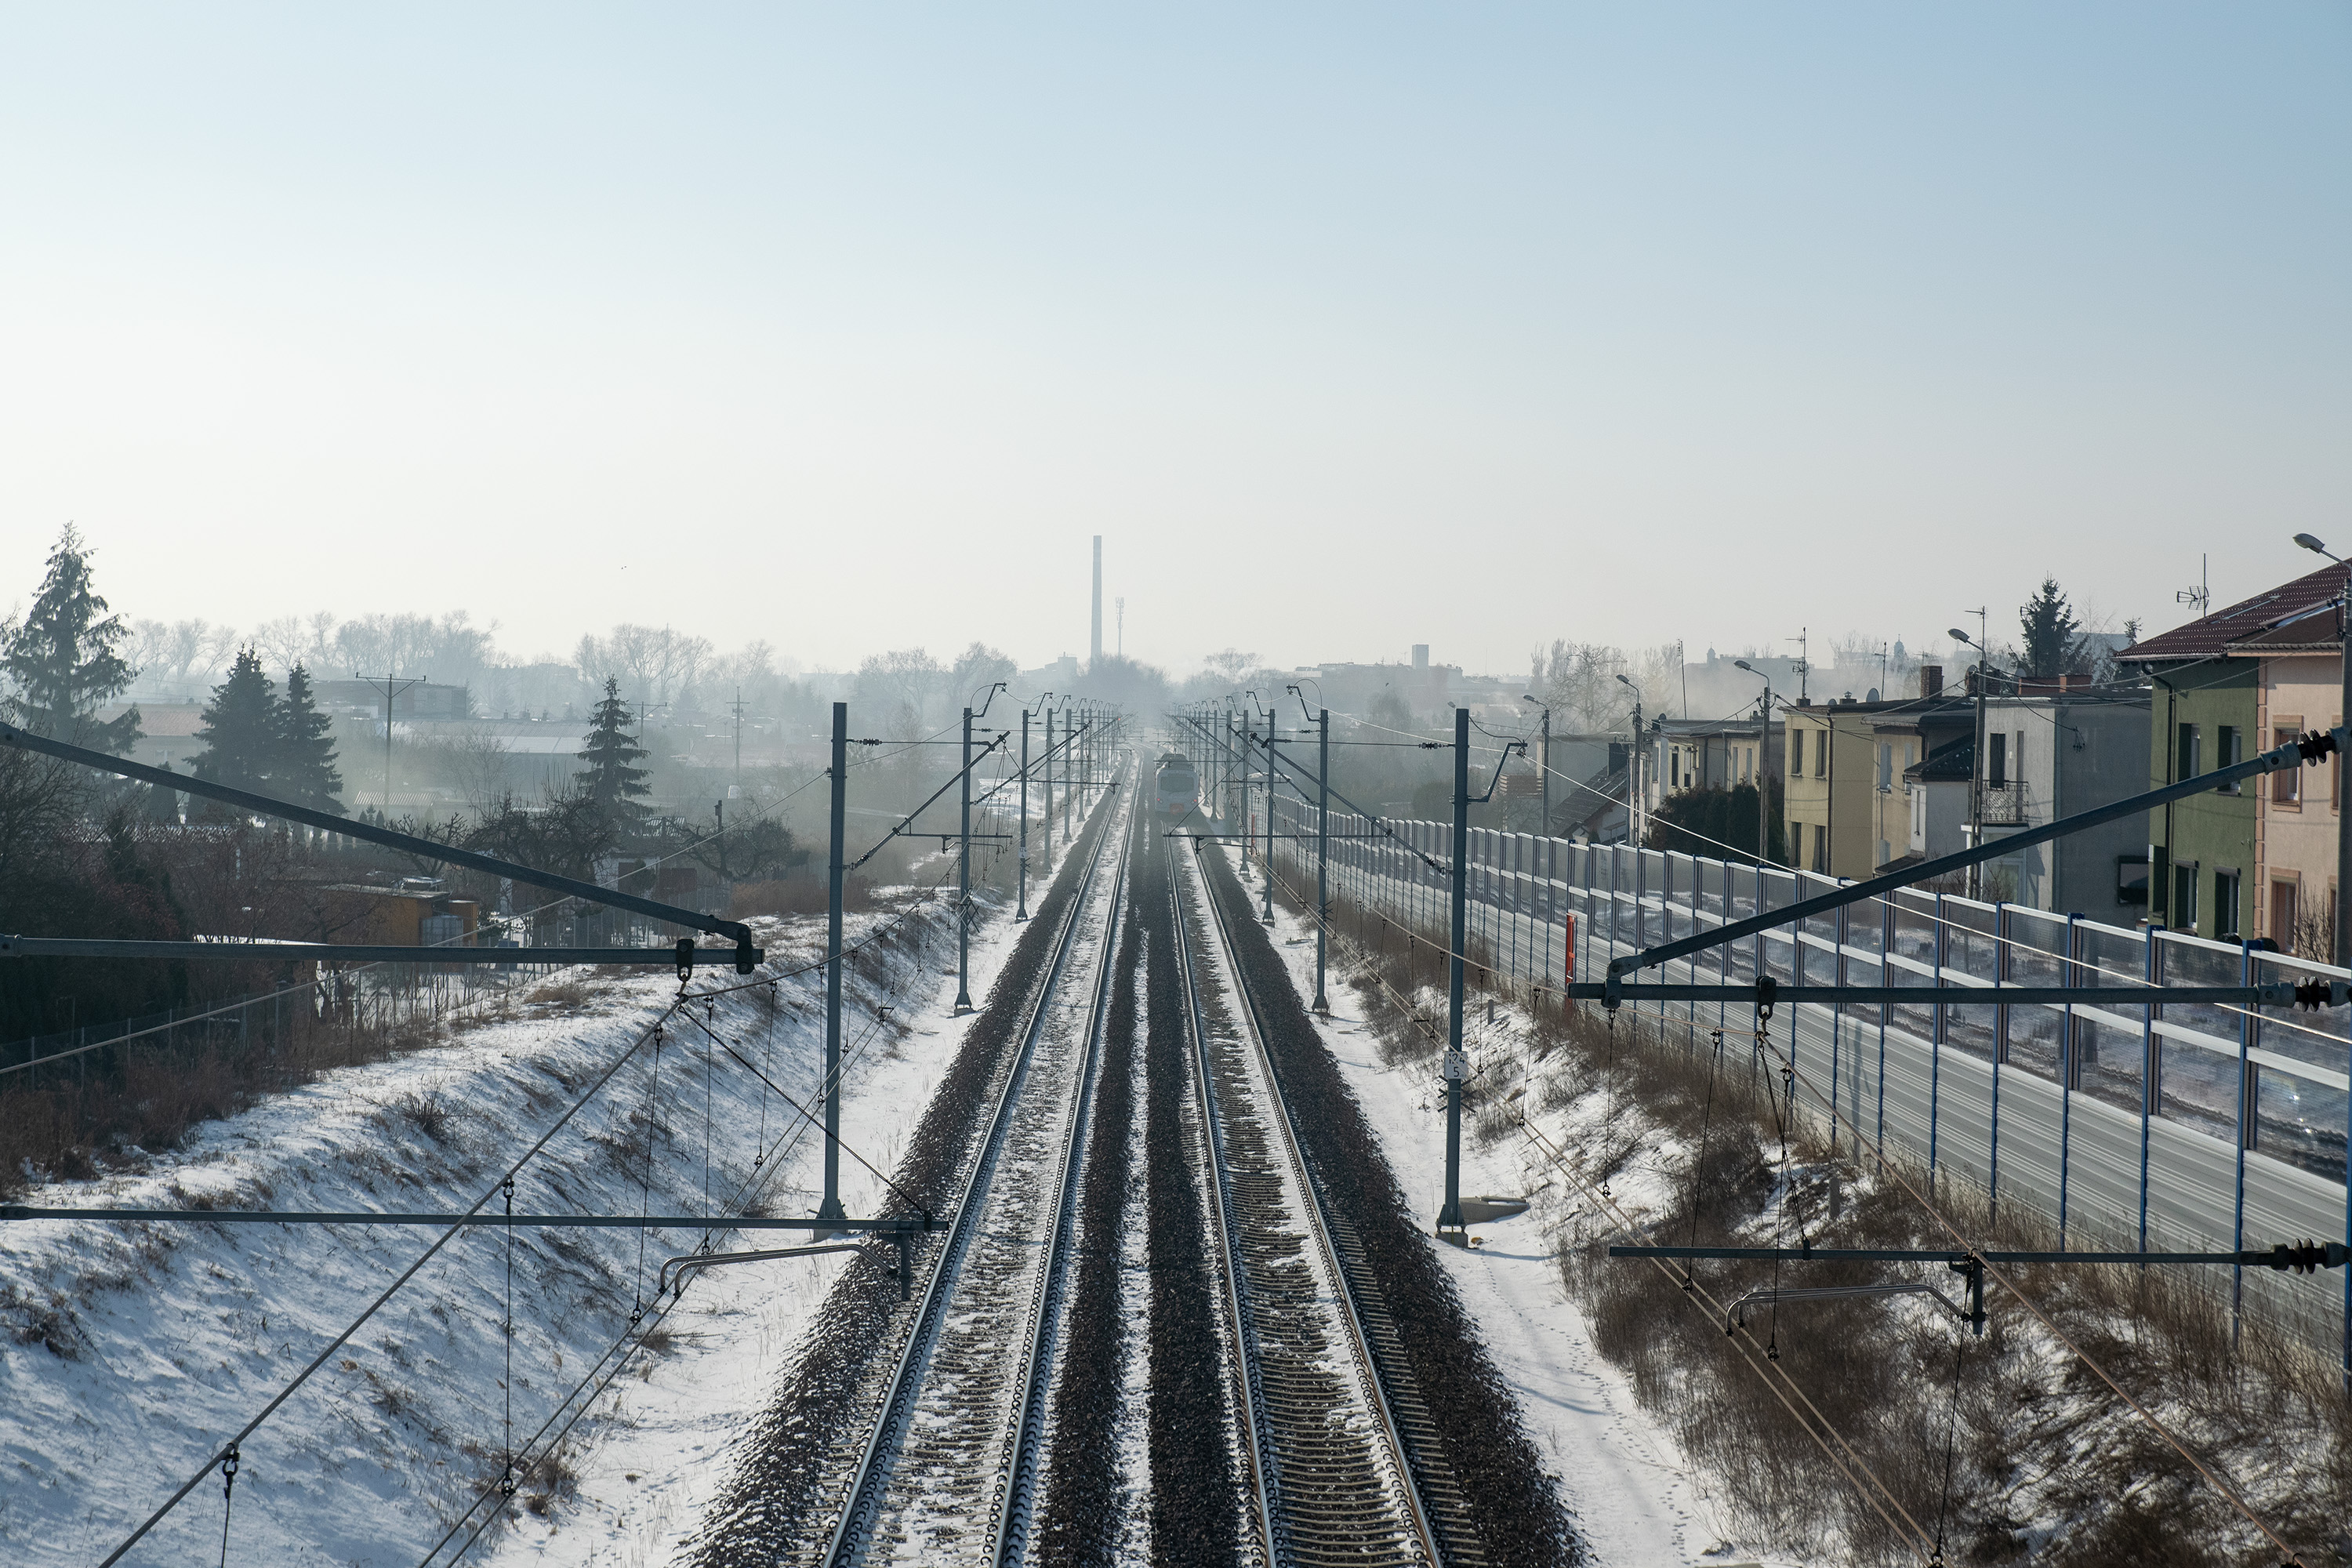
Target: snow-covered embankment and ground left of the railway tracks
(135, 1351)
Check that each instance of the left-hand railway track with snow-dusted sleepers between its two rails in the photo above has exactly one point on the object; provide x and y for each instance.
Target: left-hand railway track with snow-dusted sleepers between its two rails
(951, 1466)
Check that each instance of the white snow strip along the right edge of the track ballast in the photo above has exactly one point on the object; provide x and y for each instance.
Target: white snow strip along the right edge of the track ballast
(1619, 1473)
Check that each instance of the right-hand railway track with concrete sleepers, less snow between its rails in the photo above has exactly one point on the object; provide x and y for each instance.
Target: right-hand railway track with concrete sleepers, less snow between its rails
(1328, 1454)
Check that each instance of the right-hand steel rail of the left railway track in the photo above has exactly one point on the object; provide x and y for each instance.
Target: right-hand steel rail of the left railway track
(1015, 1503)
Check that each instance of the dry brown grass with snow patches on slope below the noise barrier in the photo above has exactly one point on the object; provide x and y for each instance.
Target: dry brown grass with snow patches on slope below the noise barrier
(2047, 1463)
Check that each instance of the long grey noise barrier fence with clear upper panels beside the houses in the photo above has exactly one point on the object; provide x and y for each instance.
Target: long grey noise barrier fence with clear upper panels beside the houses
(2174, 1125)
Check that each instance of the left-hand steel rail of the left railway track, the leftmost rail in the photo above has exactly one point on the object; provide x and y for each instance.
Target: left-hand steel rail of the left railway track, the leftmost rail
(853, 1532)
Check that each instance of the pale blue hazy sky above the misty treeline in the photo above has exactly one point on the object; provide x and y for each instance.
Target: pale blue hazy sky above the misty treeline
(1347, 326)
